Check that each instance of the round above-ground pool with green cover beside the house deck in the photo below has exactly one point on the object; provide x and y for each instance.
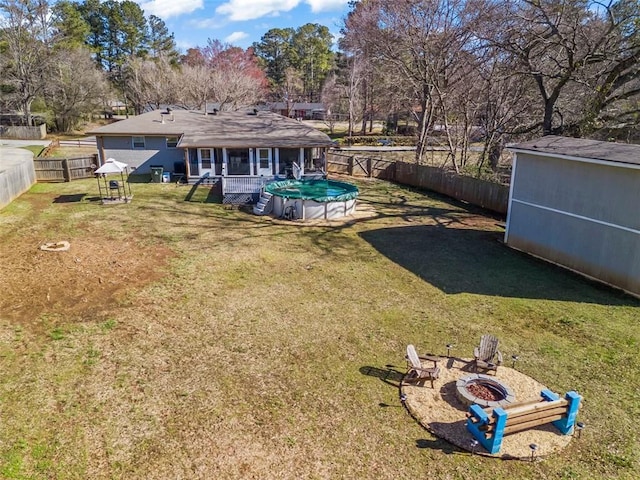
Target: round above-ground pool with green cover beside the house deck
(312, 199)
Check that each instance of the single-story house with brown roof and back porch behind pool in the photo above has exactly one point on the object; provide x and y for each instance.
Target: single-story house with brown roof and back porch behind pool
(238, 151)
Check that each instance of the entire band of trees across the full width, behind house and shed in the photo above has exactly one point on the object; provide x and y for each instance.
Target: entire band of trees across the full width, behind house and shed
(461, 70)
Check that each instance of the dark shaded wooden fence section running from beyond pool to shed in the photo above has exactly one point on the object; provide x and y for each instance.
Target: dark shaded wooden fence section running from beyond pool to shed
(489, 195)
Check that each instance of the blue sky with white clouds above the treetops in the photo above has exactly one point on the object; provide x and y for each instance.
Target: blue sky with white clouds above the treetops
(241, 22)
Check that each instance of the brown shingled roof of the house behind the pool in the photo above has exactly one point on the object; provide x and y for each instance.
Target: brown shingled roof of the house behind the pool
(224, 129)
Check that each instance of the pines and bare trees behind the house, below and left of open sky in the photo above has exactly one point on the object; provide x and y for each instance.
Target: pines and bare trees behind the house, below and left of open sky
(71, 59)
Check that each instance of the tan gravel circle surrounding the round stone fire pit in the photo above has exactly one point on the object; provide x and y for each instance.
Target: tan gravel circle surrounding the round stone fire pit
(440, 411)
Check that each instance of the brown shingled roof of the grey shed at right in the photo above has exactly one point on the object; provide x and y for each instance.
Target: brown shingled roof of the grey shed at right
(582, 148)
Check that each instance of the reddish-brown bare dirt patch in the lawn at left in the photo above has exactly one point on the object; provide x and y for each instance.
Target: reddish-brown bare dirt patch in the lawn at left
(79, 283)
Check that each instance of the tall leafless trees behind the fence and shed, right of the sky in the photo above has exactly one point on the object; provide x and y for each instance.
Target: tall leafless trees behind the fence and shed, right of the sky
(495, 70)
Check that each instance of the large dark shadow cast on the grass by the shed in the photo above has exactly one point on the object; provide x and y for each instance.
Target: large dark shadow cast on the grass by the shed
(463, 260)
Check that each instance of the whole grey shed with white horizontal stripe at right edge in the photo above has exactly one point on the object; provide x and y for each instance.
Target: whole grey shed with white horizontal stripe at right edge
(575, 202)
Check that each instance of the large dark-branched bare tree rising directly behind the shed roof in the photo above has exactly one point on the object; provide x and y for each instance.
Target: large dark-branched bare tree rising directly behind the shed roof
(582, 55)
